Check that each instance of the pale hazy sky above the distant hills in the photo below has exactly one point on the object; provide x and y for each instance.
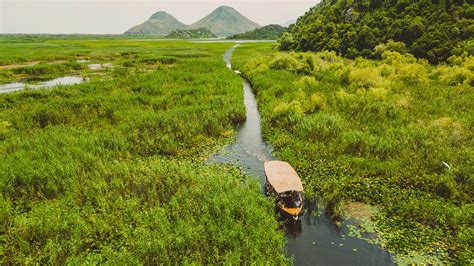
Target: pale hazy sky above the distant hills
(116, 16)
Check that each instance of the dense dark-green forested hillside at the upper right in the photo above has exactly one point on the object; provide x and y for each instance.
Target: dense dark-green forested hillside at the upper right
(434, 30)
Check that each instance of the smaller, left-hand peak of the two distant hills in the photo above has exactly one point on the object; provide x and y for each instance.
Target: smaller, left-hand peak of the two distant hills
(160, 23)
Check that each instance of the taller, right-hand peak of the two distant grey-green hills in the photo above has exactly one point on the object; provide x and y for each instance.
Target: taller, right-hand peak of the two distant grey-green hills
(225, 21)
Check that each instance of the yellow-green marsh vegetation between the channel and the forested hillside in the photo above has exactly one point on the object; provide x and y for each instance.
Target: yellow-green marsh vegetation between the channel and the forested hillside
(378, 132)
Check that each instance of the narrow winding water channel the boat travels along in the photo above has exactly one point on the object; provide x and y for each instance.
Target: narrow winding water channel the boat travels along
(314, 240)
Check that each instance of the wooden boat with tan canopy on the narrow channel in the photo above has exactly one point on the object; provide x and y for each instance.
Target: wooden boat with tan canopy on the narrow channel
(284, 184)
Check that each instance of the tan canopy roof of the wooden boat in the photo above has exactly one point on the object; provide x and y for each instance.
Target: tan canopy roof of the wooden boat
(282, 177)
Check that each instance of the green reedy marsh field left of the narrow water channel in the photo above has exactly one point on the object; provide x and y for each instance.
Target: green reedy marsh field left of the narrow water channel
(112, 170)
